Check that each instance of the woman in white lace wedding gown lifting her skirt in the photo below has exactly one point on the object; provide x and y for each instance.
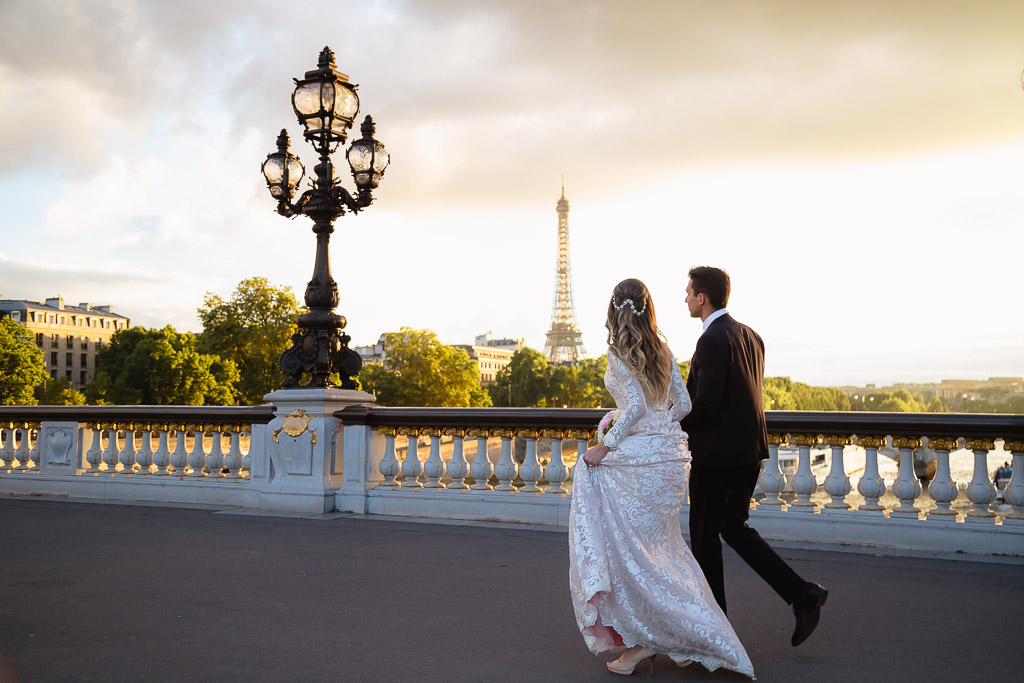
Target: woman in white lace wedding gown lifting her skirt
(634, 582)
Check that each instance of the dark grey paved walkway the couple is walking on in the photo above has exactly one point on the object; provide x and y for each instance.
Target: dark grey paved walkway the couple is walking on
(121, 593)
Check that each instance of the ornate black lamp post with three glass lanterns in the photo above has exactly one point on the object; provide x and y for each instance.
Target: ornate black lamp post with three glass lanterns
(326, 105)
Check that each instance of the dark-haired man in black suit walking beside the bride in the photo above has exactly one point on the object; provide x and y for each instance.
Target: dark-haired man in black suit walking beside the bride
(729, 441)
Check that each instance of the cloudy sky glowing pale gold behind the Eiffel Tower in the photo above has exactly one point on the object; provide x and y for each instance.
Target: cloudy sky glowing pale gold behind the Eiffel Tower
(858, 167)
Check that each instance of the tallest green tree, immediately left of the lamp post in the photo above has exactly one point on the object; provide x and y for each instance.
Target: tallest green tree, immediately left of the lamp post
(252, 329)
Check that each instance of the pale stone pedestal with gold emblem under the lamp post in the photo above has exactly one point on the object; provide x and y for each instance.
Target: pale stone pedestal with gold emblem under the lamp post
(305, 450)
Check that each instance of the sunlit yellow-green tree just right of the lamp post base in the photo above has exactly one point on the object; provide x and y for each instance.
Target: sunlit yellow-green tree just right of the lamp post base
(422, 371)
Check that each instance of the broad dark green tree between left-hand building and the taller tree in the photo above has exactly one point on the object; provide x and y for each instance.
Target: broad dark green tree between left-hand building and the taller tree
(160, 368)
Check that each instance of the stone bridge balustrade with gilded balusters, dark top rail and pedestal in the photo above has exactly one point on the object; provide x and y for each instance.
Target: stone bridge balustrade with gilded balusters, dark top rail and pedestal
(321, 452)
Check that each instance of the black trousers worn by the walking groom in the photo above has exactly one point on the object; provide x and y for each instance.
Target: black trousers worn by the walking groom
(720, 507)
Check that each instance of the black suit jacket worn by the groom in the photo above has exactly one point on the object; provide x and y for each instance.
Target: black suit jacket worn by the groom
(727, 428)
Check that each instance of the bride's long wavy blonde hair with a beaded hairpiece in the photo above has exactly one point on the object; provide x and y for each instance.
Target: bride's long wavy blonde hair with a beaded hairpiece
(634, 336)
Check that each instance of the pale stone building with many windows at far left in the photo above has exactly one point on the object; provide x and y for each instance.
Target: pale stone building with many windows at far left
(69, 336)
